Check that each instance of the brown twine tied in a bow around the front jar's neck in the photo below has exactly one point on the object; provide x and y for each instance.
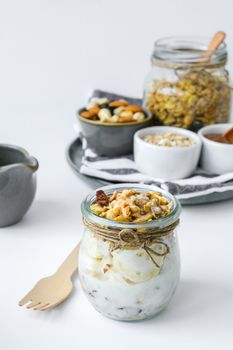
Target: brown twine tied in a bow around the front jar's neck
(132, 239)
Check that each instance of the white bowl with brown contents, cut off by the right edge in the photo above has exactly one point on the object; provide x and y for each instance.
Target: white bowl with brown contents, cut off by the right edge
(216, 157)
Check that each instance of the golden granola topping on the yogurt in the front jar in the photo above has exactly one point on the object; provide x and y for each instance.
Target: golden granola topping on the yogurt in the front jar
(131, 206)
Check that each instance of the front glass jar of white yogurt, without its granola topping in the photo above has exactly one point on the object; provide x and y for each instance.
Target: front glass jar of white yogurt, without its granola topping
(129, 283)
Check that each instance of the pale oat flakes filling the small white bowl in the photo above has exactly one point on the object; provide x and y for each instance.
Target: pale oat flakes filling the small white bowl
(169, 140)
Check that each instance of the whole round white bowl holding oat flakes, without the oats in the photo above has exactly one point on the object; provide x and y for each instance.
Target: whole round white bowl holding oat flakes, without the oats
(166, 163)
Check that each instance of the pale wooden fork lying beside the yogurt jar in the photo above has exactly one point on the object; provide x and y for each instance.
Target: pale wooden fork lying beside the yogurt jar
(53, 290)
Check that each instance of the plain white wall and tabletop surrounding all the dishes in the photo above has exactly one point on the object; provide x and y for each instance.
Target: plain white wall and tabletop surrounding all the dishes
(52, 53)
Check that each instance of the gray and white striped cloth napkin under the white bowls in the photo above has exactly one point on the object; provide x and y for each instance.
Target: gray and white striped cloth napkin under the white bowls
(123, 169)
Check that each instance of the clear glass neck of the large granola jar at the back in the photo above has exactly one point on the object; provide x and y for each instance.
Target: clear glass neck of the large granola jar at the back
(178, 52)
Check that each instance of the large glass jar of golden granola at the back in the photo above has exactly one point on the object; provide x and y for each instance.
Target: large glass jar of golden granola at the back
(187, 87)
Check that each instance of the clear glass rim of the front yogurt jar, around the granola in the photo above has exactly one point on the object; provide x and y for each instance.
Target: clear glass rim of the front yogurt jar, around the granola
(162, 222)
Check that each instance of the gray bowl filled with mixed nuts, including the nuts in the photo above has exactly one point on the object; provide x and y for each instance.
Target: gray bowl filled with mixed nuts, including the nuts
(109, 125)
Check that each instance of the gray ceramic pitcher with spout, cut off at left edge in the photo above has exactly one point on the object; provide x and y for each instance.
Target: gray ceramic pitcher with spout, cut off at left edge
(17, 183)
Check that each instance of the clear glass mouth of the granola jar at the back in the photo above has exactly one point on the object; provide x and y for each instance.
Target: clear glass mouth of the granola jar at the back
(187, 50)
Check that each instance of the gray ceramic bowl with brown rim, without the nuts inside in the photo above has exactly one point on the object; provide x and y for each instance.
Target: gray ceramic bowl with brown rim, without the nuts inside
(110, 139)
